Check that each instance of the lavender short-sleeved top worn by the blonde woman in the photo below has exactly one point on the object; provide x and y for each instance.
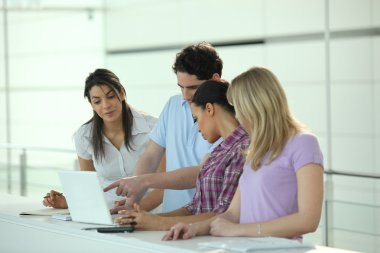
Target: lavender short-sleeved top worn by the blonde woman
(271, 191)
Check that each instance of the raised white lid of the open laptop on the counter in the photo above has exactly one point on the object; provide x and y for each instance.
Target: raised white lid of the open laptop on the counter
(85, 197)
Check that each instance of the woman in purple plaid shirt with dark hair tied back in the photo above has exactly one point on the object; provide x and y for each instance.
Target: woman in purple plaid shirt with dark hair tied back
(218, 179)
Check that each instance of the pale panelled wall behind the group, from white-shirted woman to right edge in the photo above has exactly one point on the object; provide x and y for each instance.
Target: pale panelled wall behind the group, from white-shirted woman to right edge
(286, 36)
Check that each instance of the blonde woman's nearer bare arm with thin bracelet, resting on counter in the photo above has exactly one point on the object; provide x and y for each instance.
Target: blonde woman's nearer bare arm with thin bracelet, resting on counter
(306, 220)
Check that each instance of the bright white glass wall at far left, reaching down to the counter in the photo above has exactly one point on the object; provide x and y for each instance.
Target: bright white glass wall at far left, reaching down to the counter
(53, 45)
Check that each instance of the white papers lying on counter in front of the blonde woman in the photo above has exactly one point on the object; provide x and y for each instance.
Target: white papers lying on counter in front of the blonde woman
(255, 244)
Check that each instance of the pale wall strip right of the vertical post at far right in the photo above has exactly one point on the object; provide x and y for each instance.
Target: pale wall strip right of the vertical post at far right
(355, 125)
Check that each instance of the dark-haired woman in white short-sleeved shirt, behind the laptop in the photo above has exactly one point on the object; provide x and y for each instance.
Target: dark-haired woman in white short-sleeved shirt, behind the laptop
(112, 141)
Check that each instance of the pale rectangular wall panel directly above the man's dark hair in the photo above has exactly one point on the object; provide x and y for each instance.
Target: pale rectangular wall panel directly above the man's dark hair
(215, 20)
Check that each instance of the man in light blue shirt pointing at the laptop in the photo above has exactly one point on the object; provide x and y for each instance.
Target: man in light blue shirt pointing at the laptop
(177, 135)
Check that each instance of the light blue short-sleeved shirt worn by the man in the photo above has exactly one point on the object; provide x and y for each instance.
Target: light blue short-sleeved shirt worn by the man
(178, 134)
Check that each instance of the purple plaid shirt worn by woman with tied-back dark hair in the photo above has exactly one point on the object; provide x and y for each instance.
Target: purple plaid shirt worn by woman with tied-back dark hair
(219, 177)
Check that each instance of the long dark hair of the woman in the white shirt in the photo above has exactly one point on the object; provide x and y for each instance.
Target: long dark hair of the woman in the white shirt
(108, 78)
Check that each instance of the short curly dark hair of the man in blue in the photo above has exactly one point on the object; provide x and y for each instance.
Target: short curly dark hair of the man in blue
(200, 60)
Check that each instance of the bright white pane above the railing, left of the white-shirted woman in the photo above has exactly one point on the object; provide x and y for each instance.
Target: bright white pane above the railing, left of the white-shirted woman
(47, 73)
